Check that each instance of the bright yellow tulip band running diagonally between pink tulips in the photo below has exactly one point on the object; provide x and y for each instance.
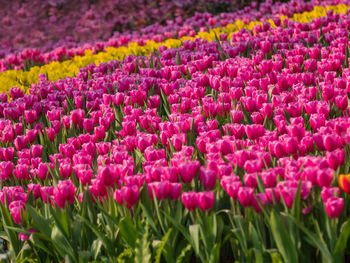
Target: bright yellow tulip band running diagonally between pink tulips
(58, 70)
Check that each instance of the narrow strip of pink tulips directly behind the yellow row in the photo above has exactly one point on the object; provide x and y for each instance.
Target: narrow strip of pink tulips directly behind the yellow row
(176, 28)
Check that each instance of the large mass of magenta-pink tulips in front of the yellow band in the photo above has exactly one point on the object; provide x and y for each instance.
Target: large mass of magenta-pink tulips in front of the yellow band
(256, 123)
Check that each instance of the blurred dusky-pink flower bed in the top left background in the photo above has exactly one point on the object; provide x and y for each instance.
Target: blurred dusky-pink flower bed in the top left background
(51, 24)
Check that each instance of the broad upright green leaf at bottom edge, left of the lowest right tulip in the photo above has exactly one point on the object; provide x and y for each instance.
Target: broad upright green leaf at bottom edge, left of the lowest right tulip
(282, 239)
